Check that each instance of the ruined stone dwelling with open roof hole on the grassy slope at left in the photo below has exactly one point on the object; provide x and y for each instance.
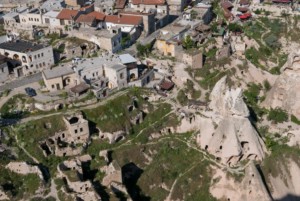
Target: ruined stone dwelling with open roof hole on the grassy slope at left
(67, 142)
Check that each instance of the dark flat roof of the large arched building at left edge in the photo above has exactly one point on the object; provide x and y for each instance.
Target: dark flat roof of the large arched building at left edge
(21, 46)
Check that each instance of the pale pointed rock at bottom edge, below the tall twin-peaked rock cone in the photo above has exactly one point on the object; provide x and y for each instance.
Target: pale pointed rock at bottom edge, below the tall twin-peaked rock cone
(250, 188)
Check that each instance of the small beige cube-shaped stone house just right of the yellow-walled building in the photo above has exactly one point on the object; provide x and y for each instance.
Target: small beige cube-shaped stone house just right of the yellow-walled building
(193, 58)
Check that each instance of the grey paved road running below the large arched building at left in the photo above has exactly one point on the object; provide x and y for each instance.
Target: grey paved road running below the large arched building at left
(21, 82)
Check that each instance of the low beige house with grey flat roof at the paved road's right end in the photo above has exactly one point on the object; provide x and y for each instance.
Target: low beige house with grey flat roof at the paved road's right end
(59, 77)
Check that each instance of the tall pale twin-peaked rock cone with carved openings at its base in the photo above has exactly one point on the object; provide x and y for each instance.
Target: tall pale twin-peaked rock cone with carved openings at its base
(233, 137)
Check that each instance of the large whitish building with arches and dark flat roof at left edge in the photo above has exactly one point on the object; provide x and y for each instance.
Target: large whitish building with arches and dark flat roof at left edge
(33, 57)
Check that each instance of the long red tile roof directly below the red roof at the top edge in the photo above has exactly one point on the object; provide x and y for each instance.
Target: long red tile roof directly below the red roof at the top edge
(124, 19)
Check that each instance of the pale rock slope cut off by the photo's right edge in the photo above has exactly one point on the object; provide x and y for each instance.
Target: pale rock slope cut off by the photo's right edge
(285, 92)
